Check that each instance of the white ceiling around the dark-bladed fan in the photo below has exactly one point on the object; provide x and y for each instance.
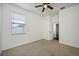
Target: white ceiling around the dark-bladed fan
(55, 11)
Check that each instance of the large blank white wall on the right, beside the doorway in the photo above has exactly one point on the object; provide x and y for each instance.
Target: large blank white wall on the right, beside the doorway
(69, 26)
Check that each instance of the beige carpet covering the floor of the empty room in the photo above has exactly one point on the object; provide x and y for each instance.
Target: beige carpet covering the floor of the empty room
(42, 48)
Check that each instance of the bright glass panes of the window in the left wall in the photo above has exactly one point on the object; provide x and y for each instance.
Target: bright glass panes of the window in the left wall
(18, 23)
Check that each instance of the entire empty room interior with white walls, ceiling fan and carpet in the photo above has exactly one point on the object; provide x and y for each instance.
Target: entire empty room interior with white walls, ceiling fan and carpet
(39, 29)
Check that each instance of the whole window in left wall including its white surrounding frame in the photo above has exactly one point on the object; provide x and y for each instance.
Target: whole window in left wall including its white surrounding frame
(18, 29)
